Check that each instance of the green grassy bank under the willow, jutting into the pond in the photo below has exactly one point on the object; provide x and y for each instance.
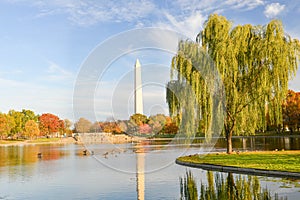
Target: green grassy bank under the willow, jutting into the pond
(276, 160)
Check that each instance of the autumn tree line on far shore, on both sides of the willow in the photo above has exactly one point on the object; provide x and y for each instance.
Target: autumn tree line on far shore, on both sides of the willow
(27, 124)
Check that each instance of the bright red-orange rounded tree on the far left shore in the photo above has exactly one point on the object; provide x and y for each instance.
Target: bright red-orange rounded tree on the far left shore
(49, 124)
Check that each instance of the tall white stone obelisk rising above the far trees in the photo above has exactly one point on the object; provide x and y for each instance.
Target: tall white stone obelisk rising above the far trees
(138, 92)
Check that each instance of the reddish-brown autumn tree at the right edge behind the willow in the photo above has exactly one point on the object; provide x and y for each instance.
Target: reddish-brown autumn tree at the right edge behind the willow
(291, 111)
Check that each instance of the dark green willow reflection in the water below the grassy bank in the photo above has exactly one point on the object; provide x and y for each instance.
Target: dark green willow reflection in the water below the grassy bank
(228, 188)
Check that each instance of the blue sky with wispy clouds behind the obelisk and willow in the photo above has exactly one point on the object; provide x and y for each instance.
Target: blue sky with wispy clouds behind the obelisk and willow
(45, 43)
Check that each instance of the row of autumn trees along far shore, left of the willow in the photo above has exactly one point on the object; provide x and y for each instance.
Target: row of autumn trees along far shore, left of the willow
(26, 124)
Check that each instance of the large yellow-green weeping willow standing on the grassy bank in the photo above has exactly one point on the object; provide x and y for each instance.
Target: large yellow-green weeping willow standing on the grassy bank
(254, 63)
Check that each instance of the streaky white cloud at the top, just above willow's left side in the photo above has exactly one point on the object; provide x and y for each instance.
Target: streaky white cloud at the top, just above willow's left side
(193, 14)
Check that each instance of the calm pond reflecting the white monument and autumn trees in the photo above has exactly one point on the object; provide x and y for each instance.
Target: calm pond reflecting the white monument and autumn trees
(133, 171)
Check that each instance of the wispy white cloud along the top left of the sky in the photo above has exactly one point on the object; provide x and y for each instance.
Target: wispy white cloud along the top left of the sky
(86, 13)
